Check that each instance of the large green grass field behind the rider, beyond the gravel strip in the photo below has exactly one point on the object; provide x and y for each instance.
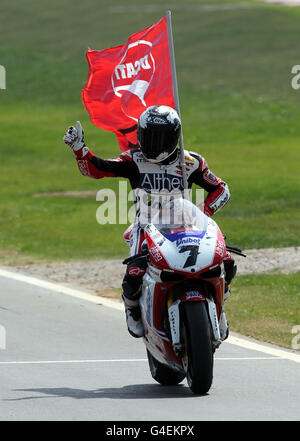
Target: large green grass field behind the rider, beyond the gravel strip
(237, 104)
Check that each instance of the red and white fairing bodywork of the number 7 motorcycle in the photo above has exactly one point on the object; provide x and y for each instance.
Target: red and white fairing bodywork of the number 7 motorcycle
(185, 265)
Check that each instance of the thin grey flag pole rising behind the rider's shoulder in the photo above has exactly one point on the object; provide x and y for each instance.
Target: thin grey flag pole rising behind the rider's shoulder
(176, 98)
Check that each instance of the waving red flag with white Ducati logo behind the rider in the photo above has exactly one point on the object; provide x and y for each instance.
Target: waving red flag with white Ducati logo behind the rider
(124, 80)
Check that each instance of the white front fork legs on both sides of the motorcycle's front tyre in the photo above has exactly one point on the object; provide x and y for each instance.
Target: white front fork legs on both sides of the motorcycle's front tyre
(175, 324)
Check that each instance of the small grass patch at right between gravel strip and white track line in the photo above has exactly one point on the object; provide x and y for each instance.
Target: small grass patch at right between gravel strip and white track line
(265, 307)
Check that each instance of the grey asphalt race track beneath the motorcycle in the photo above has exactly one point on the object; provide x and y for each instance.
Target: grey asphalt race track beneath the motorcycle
(71, 358)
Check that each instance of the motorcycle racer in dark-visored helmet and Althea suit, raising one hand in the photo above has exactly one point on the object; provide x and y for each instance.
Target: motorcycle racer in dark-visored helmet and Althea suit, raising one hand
(153, 166)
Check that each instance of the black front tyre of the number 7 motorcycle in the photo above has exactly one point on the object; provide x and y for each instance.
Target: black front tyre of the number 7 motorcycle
(198, 358)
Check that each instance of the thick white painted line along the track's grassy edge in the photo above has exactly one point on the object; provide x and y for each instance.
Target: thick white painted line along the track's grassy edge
(237, 341)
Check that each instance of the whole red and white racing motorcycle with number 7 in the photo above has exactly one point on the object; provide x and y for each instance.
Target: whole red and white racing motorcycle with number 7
(182, 295)
